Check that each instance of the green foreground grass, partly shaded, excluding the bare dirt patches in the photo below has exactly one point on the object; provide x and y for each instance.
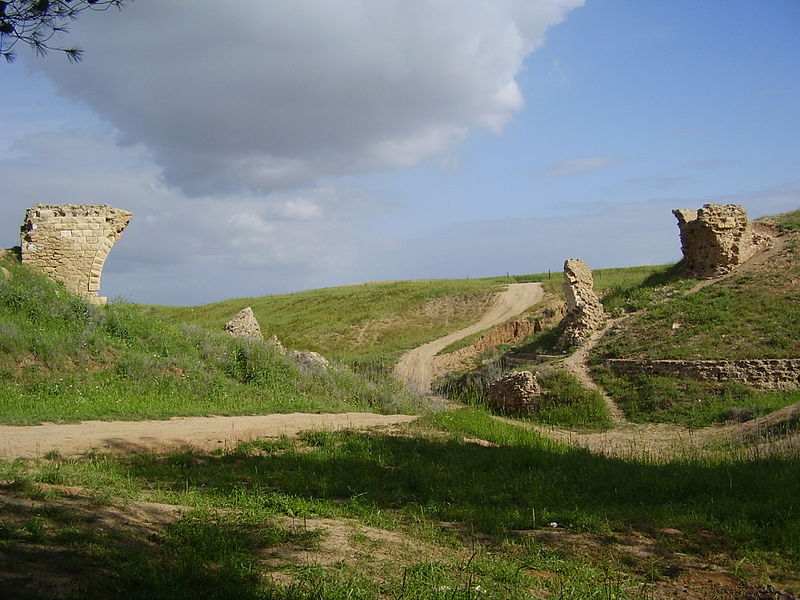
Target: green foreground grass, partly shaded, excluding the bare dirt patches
(433, 486)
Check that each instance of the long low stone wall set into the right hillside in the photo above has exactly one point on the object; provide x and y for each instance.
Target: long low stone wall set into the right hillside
(765, 373)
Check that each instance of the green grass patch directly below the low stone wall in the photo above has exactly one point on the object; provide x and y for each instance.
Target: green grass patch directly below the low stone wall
(689, 402)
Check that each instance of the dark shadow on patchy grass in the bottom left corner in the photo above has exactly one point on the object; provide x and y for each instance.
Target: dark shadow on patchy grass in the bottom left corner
(73, 548)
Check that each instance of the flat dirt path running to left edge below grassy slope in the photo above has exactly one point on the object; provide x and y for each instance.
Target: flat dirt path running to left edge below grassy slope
(205, 433)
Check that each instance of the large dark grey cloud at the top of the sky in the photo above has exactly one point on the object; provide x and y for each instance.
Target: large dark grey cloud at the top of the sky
(265, 95)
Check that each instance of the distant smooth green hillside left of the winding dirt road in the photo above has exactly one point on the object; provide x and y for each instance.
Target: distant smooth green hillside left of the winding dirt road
(372, 323)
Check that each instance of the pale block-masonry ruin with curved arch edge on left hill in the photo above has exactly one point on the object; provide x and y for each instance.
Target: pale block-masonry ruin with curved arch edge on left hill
(70, 243)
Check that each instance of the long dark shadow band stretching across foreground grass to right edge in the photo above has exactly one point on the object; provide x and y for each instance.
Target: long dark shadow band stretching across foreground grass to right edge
(522, 484)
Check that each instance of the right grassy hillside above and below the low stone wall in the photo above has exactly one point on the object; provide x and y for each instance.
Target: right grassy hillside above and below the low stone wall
(755, 313)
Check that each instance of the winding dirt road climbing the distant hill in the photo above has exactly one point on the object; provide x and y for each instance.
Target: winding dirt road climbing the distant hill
(415, 368)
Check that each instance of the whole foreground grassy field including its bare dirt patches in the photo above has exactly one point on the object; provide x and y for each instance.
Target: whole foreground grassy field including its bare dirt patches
(428, 514)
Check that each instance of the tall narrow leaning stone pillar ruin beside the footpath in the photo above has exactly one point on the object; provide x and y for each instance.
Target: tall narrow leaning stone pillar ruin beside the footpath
(585, 313)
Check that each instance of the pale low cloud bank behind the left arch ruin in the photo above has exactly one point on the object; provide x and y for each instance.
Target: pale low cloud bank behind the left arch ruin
(215, 246)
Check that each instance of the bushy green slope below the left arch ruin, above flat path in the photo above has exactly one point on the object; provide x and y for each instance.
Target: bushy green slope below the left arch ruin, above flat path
(63, 360)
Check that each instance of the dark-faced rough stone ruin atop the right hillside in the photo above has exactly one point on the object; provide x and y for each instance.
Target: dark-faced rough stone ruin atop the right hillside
(715, 239)
